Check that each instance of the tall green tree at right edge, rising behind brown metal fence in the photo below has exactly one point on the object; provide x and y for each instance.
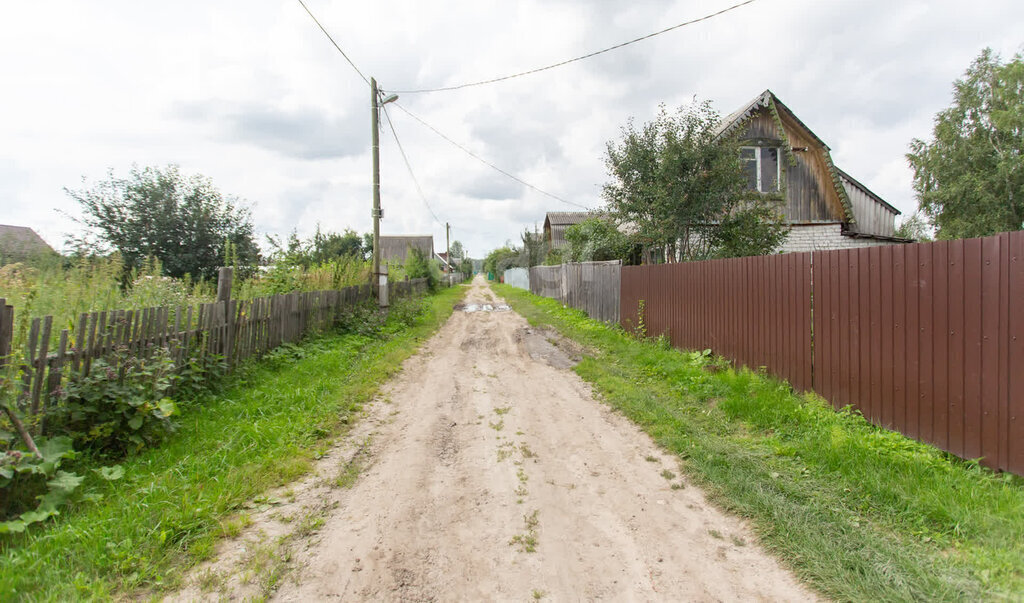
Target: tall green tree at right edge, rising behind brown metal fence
(970, 178)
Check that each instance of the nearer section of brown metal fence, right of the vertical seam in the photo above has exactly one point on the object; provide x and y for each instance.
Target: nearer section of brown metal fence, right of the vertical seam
(928, 339)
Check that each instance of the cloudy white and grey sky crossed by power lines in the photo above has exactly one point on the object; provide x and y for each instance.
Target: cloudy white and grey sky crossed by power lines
(253, 96)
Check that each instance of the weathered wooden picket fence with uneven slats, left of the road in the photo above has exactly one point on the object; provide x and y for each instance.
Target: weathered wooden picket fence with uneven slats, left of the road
(228, 331)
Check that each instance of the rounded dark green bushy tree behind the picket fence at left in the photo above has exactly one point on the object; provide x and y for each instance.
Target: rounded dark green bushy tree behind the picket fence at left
(185, 223)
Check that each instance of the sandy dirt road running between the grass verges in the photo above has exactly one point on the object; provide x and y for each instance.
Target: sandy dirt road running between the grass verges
(492, 473)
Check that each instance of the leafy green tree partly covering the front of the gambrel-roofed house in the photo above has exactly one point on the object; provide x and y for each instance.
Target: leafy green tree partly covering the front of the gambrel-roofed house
(684, 193)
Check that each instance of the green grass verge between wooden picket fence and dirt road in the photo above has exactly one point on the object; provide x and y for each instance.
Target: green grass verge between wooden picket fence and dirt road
(264, 430)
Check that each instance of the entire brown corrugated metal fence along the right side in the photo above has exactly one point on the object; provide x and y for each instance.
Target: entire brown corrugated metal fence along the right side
(925, 339)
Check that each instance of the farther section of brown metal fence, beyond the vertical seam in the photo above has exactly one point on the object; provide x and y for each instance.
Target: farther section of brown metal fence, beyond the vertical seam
(756, 311)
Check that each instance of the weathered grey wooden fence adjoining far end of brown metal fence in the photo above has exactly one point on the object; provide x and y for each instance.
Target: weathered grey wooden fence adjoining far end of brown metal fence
(592, 287)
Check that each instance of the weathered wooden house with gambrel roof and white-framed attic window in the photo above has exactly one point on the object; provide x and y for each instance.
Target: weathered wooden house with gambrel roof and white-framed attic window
(825, 207)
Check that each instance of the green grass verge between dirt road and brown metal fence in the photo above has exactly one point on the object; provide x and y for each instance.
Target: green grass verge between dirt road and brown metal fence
(860, 513)
